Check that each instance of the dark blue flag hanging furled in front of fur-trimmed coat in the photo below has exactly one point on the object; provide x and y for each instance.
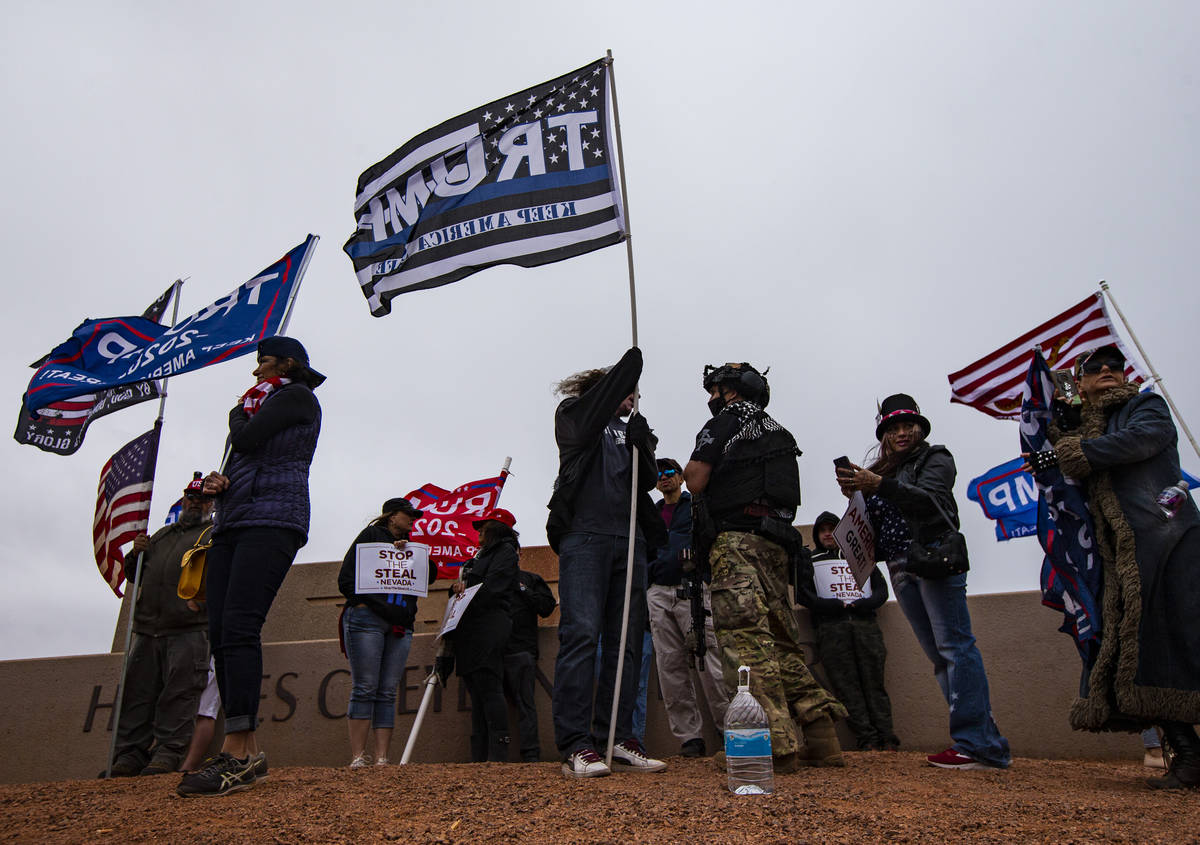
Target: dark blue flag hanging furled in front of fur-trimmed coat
(1071, 571)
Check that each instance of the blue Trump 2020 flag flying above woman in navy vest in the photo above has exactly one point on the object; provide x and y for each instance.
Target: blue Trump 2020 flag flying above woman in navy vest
(106, 353)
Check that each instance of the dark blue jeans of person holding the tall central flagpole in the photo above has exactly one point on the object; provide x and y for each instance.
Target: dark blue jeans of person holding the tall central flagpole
(592, 597)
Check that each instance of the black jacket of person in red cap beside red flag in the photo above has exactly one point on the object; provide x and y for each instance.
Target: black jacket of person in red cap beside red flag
(482, 637)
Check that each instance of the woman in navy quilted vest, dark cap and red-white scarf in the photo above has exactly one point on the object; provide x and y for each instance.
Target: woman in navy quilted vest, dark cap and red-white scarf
(261, 524)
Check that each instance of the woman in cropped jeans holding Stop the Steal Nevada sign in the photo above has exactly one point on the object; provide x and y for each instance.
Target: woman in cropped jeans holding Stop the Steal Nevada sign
(377, 634)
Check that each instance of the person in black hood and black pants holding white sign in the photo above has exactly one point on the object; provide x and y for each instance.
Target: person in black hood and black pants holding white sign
(849, 638)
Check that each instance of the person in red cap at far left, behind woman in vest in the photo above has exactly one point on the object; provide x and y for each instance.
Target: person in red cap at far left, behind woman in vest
(170, 651)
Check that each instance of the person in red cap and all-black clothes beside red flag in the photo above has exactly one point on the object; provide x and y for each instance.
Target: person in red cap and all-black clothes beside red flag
(482, 636)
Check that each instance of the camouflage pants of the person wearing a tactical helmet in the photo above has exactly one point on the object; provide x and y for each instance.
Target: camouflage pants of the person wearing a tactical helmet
(757, 628)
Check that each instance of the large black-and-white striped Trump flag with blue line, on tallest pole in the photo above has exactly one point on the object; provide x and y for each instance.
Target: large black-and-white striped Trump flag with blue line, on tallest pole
(526, 181)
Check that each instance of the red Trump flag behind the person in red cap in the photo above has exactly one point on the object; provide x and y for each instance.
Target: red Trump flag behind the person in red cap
(446, 525)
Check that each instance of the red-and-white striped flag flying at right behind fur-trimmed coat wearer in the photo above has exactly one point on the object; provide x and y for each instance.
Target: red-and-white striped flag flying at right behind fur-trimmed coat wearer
(995, 382)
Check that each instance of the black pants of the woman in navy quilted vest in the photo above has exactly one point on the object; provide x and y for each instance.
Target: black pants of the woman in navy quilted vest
(244, 571)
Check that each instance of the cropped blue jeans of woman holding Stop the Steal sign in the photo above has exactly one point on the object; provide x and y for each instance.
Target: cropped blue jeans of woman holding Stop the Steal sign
(377, 663)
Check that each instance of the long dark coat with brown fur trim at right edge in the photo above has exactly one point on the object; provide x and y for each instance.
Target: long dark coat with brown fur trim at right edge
(1149, 664)
